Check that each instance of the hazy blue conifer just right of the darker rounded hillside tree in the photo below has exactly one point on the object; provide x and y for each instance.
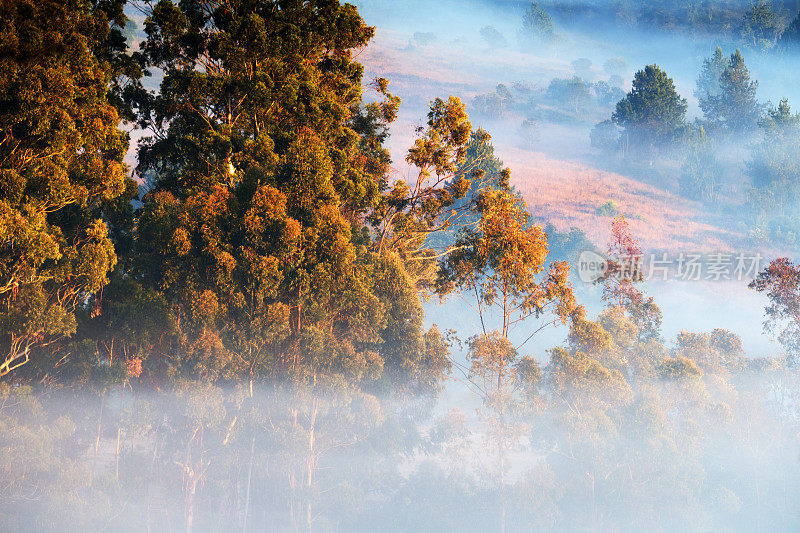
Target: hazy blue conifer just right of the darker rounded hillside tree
(734, 108)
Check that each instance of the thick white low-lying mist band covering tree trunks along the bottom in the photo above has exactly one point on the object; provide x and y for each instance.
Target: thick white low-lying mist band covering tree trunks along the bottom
(575, 451)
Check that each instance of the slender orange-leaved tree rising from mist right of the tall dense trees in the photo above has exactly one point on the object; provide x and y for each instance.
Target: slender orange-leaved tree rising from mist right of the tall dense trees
(495, 264)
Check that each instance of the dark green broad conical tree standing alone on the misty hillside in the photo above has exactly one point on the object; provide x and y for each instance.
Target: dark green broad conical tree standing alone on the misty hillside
(652, 113)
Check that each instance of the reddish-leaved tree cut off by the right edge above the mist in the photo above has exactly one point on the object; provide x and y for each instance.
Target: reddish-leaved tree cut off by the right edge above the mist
(780, 280)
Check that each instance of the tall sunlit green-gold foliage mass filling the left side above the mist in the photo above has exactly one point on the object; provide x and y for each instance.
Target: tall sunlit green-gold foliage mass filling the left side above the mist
(251, 254)
